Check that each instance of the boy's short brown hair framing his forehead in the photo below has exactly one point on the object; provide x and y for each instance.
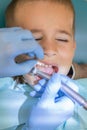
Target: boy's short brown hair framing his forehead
(10, 18)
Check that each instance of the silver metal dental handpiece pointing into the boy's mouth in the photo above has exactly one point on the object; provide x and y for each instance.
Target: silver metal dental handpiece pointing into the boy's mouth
(73, 95)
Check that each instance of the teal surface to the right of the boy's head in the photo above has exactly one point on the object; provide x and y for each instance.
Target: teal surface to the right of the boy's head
(81, 30)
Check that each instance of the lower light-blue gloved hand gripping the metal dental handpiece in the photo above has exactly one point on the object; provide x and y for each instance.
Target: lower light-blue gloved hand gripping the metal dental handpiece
(48, 114)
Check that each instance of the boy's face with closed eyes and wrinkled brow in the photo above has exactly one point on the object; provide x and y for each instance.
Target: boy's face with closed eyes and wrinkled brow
(52, 26)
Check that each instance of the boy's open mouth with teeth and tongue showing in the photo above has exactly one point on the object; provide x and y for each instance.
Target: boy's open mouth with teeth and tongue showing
(32, 78)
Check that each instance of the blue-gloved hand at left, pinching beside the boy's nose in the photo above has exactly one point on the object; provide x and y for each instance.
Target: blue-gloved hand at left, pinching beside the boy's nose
(14, 42)
